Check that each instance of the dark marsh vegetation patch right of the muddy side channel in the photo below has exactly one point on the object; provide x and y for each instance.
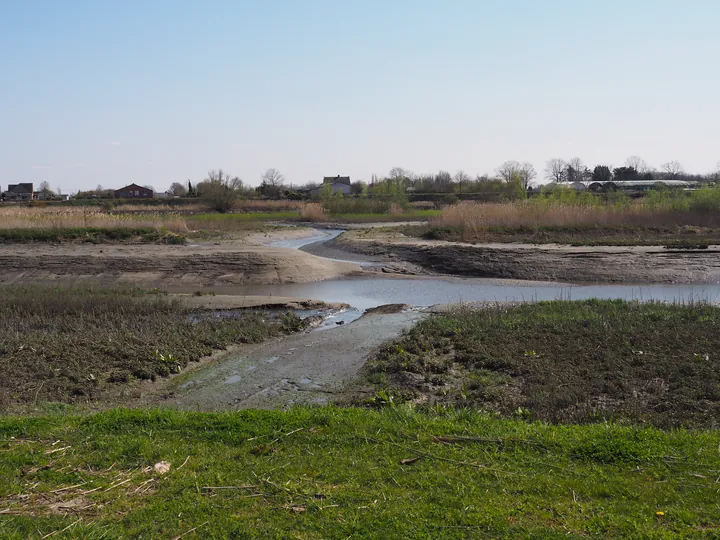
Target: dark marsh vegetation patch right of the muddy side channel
(564, 361)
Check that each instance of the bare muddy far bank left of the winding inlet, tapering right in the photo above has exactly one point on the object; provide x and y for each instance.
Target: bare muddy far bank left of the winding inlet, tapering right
(188, 268)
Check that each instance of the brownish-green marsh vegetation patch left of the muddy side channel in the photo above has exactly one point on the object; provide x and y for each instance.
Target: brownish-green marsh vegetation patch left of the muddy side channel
(82, 345)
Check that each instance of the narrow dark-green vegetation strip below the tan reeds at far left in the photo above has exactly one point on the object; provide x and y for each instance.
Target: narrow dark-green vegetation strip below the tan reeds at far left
(91, 235)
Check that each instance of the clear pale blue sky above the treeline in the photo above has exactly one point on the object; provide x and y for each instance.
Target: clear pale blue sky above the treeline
(94, 92)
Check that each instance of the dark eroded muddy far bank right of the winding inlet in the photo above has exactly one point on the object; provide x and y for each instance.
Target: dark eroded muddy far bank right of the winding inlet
(539, 262)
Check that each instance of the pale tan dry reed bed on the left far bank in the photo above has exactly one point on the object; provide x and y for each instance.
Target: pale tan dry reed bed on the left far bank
(84, 217)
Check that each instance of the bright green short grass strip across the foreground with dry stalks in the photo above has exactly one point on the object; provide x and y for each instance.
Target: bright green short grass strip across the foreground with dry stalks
(334, 473)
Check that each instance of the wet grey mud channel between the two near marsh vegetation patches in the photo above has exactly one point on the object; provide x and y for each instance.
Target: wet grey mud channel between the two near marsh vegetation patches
(315, 367)
